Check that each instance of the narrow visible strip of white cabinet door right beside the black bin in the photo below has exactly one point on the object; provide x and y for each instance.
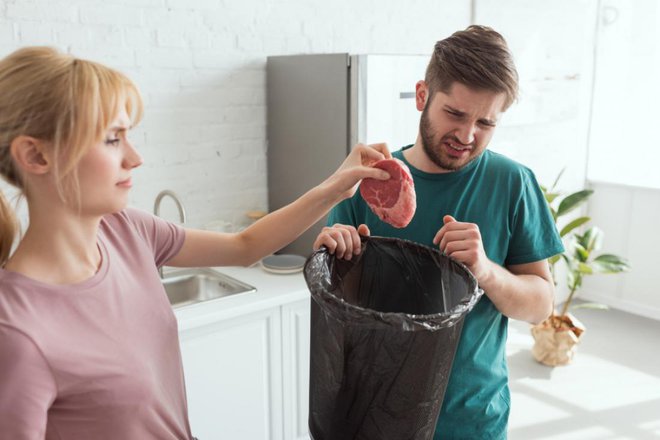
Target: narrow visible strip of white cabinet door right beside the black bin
(295, 360)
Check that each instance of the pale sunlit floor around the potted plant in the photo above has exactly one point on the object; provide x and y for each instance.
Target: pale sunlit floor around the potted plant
(611, 391)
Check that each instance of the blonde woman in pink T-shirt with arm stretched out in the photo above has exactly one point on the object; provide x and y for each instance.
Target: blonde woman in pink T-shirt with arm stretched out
(88, 340)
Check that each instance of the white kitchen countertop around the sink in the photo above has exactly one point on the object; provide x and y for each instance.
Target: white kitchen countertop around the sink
(272, 290)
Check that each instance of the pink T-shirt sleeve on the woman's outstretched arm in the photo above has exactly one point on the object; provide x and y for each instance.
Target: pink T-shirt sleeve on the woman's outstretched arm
(164, 238)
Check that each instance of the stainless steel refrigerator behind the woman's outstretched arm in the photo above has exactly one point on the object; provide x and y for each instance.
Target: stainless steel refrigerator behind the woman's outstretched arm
(319, 106)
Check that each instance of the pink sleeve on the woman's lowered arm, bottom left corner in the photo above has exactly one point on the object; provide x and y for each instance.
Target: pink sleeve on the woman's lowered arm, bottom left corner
(27, 386)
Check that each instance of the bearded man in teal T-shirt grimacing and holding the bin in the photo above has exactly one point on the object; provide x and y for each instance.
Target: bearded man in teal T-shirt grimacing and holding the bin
(480, 208)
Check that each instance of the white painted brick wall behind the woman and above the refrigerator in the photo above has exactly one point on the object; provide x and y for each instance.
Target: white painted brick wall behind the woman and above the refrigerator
(200, 65)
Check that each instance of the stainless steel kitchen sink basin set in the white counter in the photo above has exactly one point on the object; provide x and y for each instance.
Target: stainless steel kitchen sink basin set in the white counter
(190, 286)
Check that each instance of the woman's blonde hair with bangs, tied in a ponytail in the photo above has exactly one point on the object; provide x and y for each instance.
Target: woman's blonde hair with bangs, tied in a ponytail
(62, 100)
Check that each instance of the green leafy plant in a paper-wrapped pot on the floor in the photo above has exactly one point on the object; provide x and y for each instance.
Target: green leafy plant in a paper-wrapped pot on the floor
(556, 338)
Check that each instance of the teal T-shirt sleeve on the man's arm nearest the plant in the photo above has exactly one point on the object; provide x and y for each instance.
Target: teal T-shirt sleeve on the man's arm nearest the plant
(534, 233)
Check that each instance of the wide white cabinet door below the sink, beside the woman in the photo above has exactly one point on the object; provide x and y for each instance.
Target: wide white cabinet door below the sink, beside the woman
(234, 377)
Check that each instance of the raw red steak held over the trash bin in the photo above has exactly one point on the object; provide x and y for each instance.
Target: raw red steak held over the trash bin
(392, 200)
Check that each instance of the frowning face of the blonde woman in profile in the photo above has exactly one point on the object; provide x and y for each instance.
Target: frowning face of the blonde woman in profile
(104, 172)
